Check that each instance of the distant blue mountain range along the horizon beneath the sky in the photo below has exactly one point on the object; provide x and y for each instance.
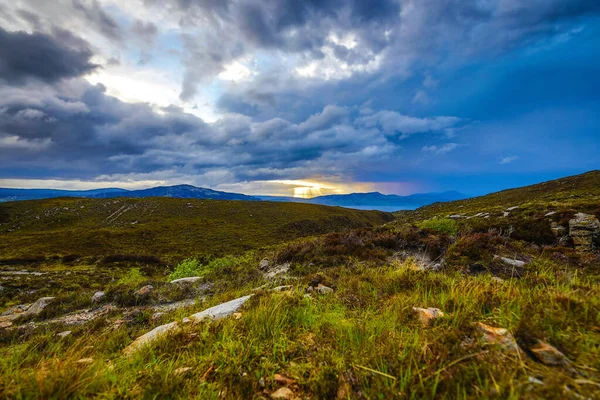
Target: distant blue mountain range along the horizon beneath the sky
(373, 200)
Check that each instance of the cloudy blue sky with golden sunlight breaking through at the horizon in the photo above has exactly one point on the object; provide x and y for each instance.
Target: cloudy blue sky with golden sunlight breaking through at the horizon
(289, 97)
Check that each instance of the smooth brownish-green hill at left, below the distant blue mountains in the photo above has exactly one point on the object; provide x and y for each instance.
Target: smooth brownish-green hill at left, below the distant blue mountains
(162, 227)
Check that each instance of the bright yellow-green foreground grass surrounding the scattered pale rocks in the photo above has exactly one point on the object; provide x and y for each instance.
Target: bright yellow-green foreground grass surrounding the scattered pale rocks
(363, 337)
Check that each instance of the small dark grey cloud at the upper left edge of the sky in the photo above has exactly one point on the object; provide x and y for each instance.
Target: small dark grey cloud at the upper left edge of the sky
(38, 56)
